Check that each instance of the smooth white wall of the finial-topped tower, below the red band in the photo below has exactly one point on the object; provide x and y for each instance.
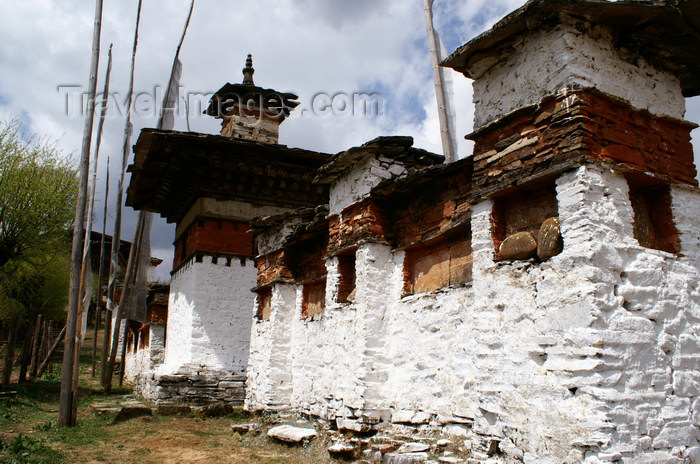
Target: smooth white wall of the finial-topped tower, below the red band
(209, 315)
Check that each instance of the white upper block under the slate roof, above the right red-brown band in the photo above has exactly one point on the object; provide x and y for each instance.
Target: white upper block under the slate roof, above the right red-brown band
(547, 62)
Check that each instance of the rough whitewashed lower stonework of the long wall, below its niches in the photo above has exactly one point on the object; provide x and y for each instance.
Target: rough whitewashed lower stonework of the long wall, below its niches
(590, 357)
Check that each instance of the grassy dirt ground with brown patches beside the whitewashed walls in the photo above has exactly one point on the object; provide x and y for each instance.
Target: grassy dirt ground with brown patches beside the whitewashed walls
(29, 434)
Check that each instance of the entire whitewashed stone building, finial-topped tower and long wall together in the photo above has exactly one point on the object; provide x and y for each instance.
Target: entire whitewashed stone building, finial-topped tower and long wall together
(539, 299)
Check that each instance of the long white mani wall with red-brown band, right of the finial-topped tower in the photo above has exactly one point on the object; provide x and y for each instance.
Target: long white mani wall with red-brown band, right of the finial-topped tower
(588, 353)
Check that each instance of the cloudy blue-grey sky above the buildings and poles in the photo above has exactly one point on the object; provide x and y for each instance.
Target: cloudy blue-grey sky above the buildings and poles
(309, 47)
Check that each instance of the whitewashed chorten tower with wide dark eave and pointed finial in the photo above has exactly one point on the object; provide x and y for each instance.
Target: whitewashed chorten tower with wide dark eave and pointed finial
(211, 186)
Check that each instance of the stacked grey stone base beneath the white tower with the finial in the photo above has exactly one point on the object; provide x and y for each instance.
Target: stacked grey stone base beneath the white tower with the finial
(193, 386)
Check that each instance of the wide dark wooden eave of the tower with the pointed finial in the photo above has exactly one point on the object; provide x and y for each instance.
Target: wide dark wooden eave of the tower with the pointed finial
(171, 170)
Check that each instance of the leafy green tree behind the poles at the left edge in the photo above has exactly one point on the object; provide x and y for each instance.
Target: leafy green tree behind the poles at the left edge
(38, 192)
